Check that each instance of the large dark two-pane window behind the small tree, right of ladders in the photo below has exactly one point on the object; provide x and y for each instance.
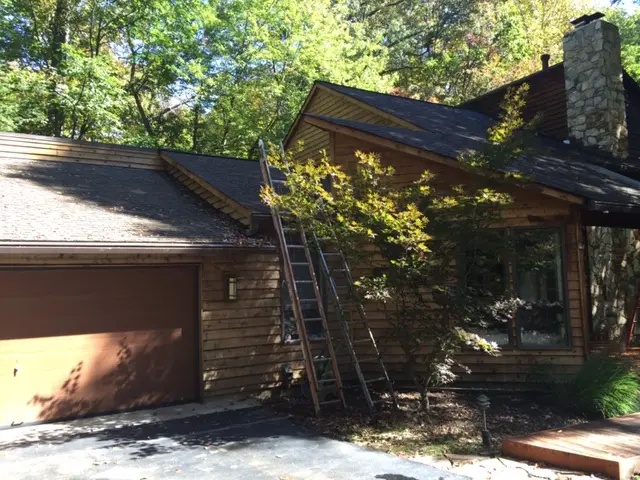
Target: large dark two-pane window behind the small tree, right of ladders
(533, 274)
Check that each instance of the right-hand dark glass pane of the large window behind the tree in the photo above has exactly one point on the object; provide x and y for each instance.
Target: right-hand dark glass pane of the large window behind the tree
(539, 285)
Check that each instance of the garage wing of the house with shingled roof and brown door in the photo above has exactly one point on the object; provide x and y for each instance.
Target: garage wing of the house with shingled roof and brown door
(127, 280)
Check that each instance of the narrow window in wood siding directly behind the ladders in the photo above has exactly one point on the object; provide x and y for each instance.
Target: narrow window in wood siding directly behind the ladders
(305, 291)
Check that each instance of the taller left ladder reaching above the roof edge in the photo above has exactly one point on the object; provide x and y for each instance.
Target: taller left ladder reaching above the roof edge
(297, 274)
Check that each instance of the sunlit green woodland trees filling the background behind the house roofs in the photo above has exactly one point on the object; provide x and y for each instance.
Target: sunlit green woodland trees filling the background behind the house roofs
(216, 76)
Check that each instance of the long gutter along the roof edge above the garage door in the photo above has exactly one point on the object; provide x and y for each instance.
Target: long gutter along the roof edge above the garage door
(14, 248)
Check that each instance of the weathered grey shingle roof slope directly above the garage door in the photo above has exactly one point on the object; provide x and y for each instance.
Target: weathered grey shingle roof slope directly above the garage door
(63, 201)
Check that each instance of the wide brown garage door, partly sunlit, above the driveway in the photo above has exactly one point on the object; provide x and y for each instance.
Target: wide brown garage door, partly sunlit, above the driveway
(75, 341)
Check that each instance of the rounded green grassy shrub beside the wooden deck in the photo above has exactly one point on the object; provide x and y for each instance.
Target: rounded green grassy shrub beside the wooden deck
(602, 387)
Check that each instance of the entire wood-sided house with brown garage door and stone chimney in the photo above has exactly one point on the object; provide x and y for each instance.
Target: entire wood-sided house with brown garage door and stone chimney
(133, 277)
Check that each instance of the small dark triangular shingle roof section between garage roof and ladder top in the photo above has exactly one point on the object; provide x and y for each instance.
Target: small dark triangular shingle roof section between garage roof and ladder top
(237, 178)
